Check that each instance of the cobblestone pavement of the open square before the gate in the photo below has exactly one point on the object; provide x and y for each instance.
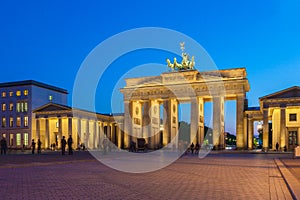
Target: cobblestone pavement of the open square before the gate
(80, 176)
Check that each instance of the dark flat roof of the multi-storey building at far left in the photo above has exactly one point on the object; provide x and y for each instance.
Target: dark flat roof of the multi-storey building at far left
(32, 82)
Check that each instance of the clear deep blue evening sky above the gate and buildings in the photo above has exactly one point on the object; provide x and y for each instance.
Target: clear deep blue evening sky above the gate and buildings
(48, 40)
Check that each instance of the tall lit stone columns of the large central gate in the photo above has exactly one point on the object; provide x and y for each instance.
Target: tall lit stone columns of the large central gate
(143, 120)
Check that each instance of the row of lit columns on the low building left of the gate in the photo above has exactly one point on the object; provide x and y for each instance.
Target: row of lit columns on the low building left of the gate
(88, 132)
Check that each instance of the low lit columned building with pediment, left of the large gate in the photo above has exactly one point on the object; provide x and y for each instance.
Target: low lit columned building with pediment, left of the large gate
(53, 121)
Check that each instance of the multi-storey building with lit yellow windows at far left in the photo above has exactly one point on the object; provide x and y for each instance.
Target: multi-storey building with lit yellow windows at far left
(17, 100)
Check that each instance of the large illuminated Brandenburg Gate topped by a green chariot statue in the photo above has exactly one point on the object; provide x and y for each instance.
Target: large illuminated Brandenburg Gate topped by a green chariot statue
(146, 98)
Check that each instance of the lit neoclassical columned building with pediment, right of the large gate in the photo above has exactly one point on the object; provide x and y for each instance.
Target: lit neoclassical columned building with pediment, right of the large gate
(280, 114)
